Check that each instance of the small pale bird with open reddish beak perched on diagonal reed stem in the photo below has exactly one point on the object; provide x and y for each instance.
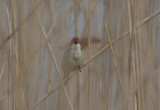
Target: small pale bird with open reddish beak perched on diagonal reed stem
(73, 58)
